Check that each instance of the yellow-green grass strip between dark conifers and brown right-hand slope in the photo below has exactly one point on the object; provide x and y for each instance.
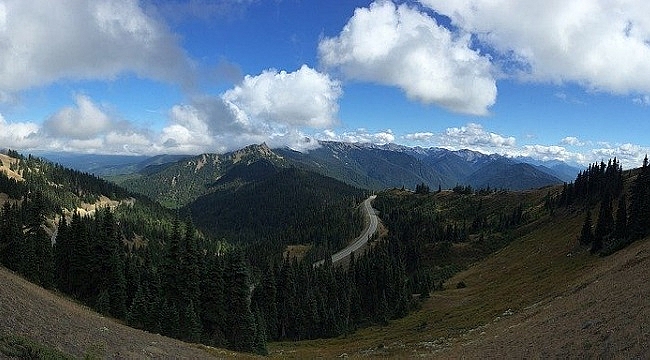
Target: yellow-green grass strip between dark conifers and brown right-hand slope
(543, 261)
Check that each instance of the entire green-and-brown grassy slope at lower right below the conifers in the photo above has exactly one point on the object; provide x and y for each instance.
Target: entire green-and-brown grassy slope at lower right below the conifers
(539, 297)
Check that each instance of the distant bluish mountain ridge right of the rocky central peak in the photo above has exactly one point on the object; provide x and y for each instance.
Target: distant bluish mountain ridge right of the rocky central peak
(385, 166)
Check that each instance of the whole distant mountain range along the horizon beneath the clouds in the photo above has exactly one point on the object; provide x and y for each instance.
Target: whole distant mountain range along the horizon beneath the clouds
(176, 180)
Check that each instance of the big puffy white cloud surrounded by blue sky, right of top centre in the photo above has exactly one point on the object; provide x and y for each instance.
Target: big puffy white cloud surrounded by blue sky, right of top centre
(403, 47)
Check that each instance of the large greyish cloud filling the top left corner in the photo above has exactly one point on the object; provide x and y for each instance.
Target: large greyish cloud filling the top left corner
(44, 41)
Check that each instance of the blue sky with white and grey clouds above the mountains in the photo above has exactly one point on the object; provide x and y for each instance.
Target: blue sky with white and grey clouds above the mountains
(566, 80)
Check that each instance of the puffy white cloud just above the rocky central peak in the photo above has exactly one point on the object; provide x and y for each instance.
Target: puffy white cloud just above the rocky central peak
(305, 97)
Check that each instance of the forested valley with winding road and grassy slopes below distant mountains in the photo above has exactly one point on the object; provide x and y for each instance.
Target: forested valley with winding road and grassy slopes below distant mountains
(457, 272)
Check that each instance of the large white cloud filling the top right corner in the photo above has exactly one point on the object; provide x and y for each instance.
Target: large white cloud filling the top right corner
(602, 45)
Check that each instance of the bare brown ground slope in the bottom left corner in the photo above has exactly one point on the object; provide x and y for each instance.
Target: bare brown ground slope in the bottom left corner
(27, 310)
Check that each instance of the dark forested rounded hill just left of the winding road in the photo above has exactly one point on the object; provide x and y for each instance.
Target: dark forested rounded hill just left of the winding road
(270, 204)
